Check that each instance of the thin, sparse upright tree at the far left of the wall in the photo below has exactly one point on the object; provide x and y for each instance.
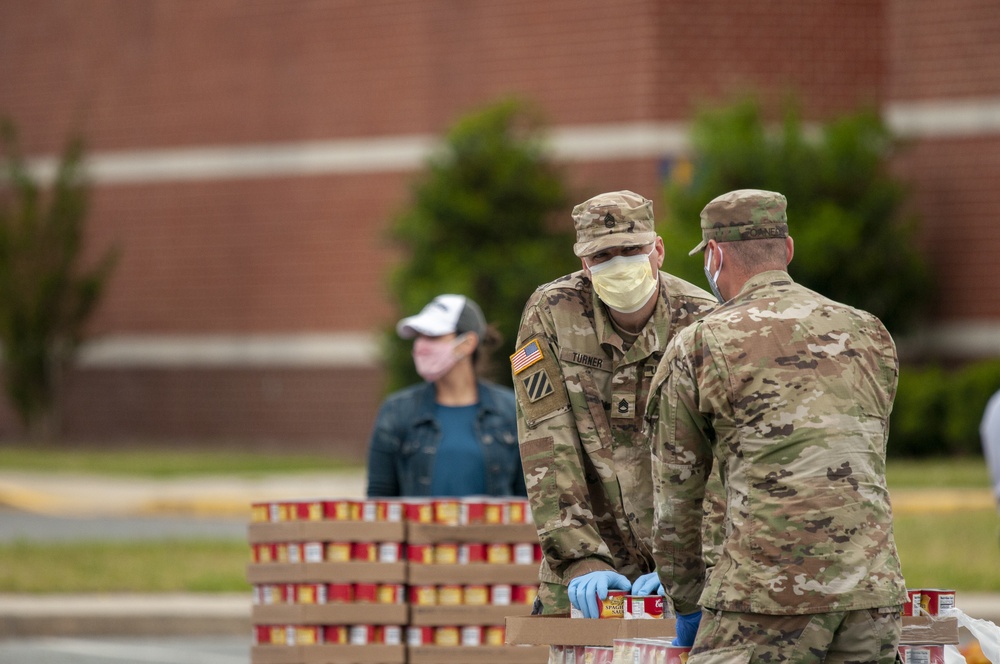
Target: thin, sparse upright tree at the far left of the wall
(45, 297)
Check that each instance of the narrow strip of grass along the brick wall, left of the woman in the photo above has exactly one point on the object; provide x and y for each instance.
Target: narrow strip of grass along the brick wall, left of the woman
(158, 462)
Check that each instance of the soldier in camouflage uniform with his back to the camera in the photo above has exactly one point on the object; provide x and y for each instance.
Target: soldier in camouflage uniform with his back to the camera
(789, 393)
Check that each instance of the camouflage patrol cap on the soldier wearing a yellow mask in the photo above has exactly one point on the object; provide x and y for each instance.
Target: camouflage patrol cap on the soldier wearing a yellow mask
(615, 219)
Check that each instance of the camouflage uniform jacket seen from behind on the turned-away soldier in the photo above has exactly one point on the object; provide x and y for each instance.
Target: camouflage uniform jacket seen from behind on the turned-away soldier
(790, 393)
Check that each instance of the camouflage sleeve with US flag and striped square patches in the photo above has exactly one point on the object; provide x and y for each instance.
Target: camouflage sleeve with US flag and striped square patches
(551, 455)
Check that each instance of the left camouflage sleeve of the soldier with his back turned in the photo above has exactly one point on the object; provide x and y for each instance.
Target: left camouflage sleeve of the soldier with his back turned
(681, 462)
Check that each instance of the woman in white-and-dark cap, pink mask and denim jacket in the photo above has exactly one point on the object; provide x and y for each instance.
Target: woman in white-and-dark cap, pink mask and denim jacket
(455, 434)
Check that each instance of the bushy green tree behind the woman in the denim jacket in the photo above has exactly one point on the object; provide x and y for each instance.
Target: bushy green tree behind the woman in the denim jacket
(482, 224)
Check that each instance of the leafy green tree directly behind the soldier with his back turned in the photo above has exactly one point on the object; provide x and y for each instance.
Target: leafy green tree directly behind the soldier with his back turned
(853, 242)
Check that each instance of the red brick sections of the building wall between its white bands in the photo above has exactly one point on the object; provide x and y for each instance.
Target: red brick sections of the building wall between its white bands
(290, 255)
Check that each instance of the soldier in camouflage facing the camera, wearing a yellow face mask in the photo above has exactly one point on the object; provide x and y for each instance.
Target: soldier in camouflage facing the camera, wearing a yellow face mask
(585, 357)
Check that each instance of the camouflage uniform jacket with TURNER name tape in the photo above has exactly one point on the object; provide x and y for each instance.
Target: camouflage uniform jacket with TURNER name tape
(581, 399)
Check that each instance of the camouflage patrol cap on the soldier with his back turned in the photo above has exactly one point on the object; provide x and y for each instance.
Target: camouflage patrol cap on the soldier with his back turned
(744, 214)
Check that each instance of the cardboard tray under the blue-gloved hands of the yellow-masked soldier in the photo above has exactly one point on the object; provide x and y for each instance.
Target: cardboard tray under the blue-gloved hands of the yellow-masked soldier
(562, 630)
